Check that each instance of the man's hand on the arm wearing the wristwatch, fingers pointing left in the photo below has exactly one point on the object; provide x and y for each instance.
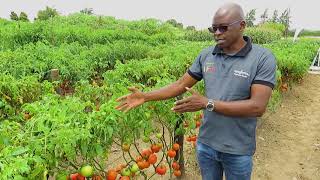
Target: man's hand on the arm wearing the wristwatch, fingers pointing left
(193, 103)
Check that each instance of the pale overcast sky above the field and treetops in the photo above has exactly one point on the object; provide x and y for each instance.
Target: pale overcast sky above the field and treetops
(305, 13)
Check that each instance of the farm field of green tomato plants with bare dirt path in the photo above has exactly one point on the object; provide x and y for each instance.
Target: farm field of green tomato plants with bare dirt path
(59, 80)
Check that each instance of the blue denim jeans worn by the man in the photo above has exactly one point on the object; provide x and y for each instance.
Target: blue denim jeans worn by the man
(213, 163)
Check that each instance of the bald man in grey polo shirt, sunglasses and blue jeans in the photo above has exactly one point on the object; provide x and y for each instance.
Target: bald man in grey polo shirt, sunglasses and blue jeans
(239, 77)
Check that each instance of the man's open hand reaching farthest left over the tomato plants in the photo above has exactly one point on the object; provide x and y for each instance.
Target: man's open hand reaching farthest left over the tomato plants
(130, 101)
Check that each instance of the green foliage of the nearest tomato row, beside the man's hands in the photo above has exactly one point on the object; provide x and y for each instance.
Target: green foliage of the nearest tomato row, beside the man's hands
(50, 122)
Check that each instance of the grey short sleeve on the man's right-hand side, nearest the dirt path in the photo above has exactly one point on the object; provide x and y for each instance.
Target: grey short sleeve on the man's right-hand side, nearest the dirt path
(266, 71)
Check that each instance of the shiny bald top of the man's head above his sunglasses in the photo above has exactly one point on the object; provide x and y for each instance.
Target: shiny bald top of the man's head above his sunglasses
(229, 12)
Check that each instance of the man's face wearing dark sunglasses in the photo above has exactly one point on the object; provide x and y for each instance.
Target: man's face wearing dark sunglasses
(228, 30)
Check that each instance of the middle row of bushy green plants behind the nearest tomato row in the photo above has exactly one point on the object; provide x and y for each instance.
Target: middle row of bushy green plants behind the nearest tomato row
(74, 61)
